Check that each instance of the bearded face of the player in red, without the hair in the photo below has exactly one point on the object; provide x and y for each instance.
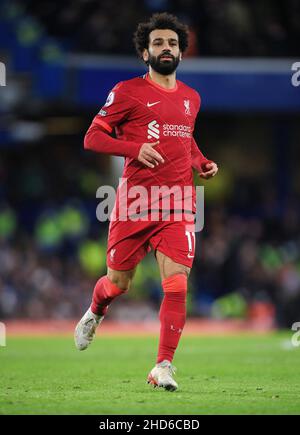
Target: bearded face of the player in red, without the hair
(163, 52)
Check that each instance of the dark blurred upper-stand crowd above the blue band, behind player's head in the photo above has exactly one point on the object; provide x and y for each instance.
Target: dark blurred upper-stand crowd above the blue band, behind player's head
(218, 27)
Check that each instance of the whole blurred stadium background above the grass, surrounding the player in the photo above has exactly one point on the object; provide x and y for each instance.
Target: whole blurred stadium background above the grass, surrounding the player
(61, 59)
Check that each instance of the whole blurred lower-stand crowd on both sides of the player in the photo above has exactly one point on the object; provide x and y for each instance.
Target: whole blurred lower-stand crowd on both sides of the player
(53, 249)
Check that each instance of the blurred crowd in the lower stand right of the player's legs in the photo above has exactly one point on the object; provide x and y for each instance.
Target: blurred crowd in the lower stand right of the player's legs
(249, 267)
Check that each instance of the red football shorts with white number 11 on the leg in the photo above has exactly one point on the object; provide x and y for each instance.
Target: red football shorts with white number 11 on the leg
(129, 242)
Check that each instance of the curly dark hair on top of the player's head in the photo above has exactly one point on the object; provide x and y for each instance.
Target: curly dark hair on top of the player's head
(160, 21)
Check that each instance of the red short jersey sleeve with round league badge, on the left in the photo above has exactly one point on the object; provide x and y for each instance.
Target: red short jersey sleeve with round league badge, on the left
(117, 107)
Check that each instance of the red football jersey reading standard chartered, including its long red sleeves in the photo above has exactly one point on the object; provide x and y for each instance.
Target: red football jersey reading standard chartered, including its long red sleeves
(142, 111)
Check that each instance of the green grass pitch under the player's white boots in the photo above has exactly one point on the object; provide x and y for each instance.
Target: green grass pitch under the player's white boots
(230, 375)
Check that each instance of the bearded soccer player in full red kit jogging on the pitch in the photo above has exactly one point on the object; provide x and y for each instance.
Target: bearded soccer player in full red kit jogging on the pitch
(153, 117)
